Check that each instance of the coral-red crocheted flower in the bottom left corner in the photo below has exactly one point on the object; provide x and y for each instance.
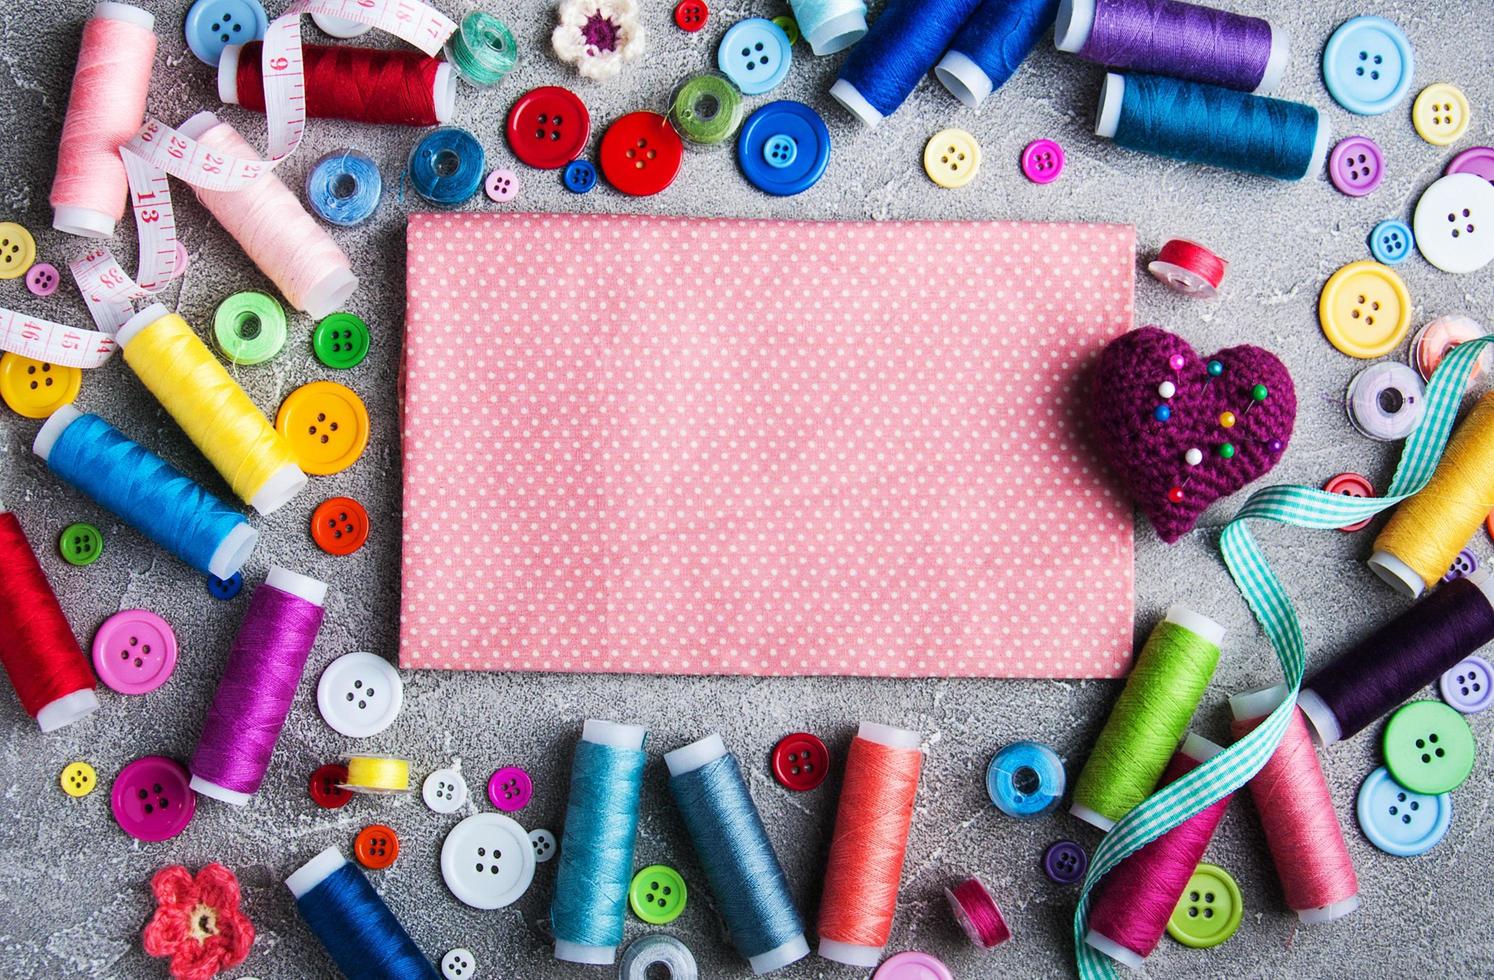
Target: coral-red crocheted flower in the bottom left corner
(198, 922)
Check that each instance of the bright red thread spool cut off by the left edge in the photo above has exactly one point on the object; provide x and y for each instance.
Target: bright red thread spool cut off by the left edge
(52, 677)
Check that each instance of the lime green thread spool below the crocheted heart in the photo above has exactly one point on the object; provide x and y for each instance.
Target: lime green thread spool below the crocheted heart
(1150, 719)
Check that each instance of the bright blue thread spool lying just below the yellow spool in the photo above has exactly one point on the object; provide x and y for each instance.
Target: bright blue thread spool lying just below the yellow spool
(146, 492)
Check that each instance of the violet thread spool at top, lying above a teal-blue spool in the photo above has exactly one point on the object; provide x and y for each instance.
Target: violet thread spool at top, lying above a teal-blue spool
(1178, 40)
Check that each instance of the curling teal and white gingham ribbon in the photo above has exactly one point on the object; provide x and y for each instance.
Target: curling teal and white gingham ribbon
(1298, 507)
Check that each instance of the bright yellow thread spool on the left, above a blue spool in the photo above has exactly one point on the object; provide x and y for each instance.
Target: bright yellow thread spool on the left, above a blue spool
(211, 409)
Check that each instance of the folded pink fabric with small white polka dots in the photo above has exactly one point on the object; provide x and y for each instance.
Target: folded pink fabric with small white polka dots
(672, 446)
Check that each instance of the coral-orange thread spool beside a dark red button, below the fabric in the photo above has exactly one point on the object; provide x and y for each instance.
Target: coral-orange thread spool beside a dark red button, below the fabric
(869, 845)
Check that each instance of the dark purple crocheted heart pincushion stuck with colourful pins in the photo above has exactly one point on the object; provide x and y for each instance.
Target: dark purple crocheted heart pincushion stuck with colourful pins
(1172, 446)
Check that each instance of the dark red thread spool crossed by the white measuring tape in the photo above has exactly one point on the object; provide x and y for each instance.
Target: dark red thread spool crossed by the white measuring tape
(356, 84)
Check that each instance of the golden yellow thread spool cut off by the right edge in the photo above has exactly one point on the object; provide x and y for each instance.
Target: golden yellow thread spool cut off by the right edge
(1426, 534)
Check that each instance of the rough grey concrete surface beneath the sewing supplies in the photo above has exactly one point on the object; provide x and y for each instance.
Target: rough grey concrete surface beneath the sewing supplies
(74, 890)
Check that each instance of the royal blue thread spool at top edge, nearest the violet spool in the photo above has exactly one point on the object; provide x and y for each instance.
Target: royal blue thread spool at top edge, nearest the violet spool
(993, 46)
